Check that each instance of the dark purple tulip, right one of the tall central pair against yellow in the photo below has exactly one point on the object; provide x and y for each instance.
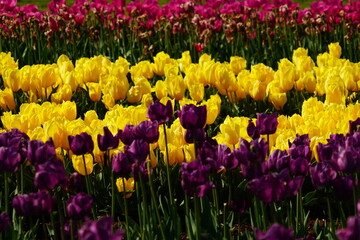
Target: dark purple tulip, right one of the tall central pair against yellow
(192, 117)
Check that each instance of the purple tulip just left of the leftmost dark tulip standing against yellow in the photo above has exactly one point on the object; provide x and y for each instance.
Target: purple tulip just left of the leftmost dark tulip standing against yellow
(40, 152)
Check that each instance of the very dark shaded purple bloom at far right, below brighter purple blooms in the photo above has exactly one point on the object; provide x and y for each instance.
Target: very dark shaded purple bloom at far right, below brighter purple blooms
(343, 188)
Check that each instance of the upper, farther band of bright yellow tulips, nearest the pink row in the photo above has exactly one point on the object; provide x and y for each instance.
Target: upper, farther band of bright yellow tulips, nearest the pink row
(109, 82)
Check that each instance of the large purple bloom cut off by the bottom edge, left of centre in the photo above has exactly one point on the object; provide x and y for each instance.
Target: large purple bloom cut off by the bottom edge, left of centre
(100, 230)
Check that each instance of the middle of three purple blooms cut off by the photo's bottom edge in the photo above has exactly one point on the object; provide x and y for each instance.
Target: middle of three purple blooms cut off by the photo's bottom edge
(275, 232)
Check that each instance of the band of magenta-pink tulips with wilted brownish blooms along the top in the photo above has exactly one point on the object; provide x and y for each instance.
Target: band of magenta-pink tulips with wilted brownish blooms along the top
(196, 21)
